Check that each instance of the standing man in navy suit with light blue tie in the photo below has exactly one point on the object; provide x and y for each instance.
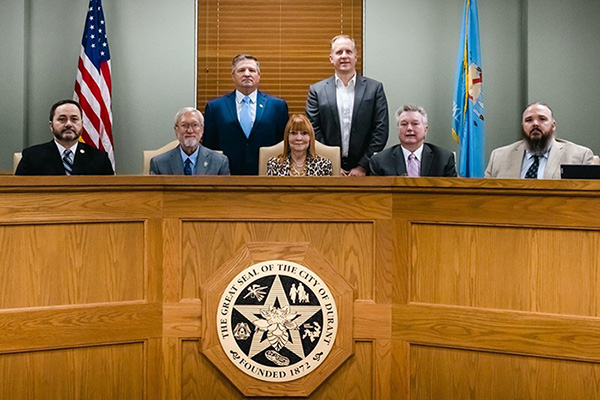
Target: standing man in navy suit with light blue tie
(245, 120)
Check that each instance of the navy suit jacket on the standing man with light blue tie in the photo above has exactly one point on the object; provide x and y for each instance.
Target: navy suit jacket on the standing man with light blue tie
(222, 130)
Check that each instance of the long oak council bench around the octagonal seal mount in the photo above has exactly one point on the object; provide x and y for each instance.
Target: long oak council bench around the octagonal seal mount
(461, 288)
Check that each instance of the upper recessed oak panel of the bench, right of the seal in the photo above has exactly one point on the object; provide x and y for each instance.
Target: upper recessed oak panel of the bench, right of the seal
(525, 269)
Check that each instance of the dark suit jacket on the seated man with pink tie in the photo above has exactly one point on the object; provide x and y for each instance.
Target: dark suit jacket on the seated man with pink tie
(435, 161)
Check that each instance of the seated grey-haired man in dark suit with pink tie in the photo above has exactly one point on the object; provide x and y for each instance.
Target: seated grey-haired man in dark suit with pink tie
(413, 157)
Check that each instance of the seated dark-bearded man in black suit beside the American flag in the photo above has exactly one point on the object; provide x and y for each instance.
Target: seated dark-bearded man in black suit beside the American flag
(64, 155)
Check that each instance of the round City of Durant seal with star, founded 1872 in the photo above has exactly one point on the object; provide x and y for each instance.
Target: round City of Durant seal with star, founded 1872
(277, 321)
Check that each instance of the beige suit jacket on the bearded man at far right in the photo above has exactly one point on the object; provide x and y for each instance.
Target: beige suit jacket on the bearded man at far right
(506, 162)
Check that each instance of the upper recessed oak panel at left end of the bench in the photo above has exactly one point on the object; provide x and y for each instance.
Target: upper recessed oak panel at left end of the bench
(59, 264)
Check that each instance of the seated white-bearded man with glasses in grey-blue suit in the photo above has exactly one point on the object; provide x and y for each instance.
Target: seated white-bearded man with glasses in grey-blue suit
(189, 158)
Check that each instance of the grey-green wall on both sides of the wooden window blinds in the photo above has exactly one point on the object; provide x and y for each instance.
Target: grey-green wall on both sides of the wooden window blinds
(532, 50)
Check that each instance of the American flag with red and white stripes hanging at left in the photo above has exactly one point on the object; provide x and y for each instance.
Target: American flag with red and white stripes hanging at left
(93, 84)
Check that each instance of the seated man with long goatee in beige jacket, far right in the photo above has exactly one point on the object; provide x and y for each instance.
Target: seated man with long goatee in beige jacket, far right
(539, 155)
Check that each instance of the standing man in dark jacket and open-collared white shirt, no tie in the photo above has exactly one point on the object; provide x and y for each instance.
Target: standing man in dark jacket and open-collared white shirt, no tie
(349, 110)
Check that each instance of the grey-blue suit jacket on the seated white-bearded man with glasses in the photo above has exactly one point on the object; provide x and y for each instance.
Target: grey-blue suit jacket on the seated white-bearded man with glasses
(208, 163)
